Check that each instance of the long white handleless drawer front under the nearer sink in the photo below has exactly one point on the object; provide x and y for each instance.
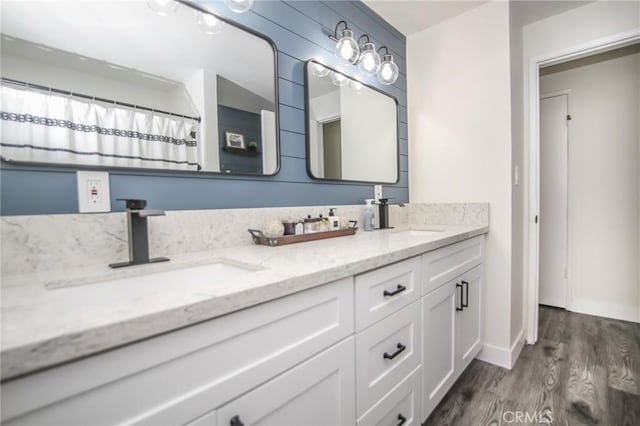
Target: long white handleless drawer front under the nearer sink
(180, 376)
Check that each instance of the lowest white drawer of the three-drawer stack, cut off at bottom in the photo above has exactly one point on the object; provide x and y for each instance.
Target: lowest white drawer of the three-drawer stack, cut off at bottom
(401, 405)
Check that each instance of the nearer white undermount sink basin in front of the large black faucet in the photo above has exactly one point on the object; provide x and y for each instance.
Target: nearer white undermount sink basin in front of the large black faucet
(134, 288)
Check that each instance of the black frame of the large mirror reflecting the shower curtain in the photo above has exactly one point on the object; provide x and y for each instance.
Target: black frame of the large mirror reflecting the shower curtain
(146, 171)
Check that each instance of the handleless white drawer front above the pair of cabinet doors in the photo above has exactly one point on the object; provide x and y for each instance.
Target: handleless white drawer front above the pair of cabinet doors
(446, 263)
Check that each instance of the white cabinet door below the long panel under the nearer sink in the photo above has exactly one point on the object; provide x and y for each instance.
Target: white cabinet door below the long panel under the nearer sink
(320, 391)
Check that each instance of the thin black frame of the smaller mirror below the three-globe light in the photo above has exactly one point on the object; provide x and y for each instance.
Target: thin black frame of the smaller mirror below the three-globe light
(308, 130)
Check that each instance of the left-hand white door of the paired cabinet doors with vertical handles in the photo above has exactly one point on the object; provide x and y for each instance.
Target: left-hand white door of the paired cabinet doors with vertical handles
(439, 355)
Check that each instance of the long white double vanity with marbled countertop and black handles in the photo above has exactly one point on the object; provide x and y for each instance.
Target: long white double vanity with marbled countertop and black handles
(367, 329)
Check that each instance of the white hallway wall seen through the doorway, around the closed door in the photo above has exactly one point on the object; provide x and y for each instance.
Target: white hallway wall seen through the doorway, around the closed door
(604, 188)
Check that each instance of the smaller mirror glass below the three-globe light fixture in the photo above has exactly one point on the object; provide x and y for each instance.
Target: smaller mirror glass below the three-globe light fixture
(352, 129)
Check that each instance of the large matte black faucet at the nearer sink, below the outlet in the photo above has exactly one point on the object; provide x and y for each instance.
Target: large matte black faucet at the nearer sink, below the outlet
(139, 234)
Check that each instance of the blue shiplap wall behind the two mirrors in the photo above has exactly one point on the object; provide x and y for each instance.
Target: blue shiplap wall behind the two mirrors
(299, 30)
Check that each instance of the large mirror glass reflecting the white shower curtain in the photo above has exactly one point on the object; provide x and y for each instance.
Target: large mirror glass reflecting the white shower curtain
(116, 84)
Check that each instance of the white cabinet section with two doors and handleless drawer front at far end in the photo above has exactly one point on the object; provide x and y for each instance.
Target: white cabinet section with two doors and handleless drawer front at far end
(451, 316)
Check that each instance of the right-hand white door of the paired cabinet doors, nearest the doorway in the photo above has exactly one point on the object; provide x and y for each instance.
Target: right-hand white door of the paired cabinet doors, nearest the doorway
(469, 320)
